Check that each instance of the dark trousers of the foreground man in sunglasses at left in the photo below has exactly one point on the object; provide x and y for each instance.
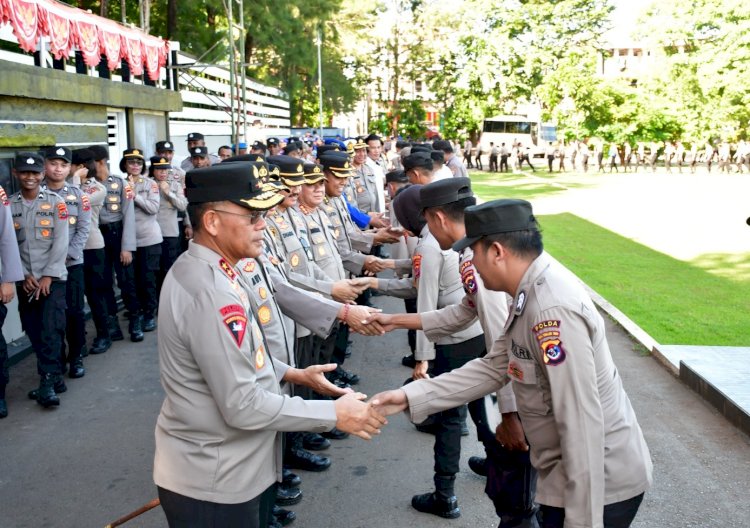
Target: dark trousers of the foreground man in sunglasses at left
(186, 512)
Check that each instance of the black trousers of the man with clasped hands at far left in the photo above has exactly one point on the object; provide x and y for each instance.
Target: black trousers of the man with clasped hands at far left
(43, 320)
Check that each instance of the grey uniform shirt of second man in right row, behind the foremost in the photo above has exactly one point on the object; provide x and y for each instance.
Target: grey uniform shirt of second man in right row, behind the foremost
(490, 307)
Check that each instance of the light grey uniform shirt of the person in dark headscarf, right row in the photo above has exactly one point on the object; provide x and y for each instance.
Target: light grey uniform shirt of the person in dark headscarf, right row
(436, 283)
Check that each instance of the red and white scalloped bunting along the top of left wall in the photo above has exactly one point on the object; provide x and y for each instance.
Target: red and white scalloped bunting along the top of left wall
(70, 29)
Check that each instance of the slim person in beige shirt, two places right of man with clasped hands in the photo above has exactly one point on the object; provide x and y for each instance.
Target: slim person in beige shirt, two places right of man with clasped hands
(96, 281)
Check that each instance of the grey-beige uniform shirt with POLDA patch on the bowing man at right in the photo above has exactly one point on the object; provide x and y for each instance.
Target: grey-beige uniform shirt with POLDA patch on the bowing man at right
(585, 439)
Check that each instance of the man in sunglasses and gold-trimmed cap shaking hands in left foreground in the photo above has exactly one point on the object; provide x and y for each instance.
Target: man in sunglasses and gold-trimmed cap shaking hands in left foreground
(221, 382)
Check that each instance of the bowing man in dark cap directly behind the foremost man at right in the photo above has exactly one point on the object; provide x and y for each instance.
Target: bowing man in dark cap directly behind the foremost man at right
(511, 479)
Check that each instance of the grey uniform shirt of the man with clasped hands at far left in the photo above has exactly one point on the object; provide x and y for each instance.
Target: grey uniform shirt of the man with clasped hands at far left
(42, 234)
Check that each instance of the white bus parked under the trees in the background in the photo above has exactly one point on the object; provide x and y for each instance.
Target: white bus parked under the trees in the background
(510, 129)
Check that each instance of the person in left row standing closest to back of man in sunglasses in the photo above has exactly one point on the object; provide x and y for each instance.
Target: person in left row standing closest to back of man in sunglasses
(172, 202)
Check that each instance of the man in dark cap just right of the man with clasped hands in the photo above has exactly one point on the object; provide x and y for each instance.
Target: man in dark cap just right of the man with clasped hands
(57, 168)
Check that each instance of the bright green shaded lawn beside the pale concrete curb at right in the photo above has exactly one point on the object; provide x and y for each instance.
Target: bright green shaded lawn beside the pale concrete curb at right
(674, 301)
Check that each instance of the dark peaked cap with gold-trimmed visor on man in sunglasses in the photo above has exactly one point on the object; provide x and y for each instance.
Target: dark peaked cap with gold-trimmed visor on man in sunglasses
(232, 182)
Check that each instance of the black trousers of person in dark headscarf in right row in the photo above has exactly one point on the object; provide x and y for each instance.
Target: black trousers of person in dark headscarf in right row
(447, 447)
